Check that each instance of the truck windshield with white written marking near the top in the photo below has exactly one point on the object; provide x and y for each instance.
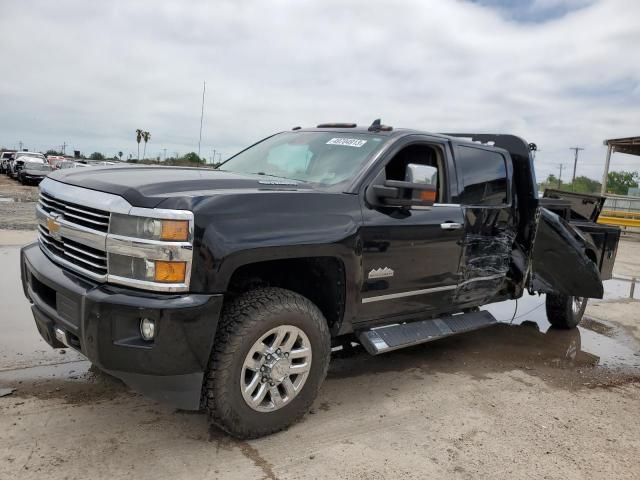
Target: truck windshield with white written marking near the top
(323, 158)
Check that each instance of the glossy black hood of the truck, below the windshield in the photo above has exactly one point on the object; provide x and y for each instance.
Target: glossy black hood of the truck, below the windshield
(147, 186)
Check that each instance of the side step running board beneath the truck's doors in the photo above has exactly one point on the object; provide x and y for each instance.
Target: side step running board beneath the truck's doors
(384, 339)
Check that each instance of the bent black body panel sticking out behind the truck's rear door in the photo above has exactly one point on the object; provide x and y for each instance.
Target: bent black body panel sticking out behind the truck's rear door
(563, 260)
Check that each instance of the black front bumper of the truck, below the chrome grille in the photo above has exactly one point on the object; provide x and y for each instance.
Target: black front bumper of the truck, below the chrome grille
(102, 322)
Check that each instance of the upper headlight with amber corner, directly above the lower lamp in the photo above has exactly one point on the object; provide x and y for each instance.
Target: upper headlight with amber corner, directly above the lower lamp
(150, 228)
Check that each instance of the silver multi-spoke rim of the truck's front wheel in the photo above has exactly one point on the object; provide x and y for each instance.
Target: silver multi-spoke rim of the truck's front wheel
(276, 368)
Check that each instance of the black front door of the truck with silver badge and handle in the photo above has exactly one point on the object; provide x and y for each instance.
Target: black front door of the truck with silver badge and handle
(411, 255)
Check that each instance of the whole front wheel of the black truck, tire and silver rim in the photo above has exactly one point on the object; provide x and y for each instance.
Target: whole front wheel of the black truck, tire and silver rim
(270, 356)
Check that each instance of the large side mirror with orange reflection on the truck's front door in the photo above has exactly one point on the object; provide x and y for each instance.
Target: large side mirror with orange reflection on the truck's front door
(418, 189)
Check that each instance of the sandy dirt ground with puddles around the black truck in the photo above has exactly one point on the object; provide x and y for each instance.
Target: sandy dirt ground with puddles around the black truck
(517, 400)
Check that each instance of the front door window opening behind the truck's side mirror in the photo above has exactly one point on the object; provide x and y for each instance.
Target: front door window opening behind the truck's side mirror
(426, 167)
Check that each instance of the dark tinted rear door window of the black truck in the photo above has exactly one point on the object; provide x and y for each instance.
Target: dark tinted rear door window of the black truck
(484, 176)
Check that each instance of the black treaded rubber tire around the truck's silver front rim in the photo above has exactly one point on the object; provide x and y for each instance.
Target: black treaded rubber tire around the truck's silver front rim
(243, 322)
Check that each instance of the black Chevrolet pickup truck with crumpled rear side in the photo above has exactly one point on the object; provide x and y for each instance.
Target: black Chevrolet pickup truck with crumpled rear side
(226, 289)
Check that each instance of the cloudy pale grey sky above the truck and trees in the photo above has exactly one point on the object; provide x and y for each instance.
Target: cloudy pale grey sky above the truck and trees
(560, 73)
